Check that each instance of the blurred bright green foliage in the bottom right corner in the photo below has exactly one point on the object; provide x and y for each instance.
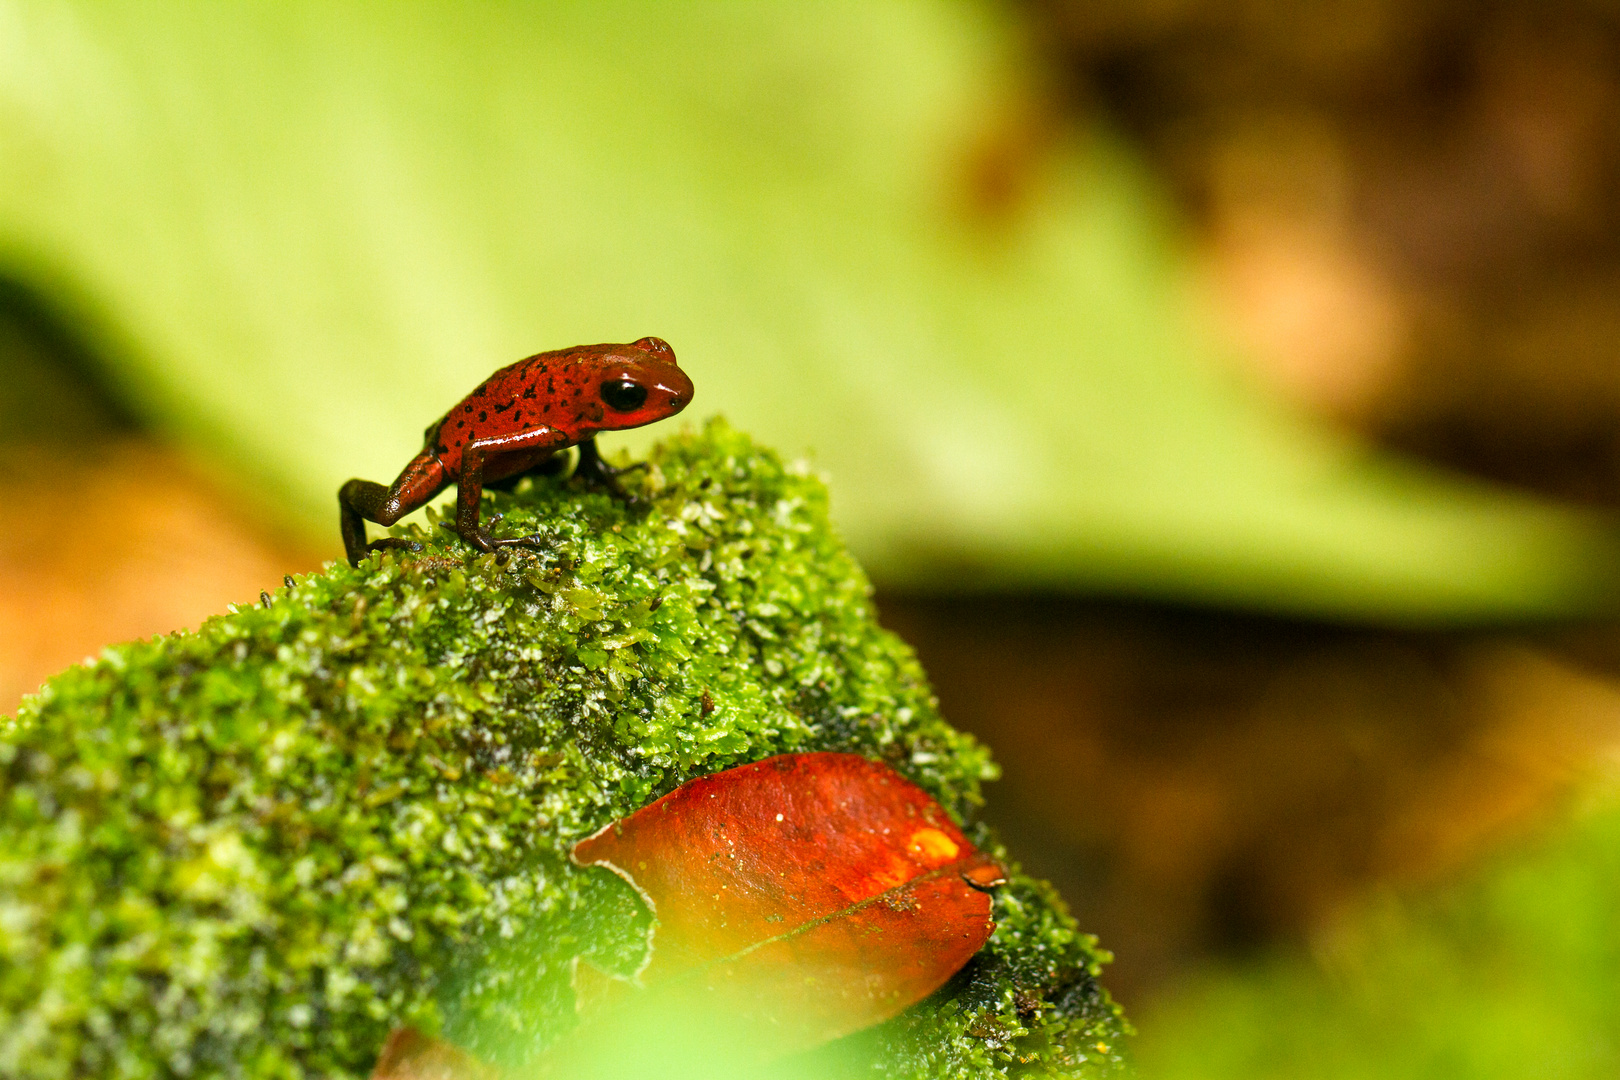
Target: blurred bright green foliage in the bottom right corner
(1514, 974)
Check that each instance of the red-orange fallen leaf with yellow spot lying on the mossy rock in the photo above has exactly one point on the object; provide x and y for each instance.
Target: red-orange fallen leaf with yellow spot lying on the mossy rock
(816, 895)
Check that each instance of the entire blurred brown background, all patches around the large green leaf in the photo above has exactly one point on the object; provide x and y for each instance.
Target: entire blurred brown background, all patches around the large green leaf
(1407, 213)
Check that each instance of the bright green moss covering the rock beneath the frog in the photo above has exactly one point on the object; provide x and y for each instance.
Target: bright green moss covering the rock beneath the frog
(255, 849)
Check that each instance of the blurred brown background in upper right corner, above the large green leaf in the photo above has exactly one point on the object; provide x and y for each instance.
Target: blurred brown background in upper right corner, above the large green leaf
(1409, 210)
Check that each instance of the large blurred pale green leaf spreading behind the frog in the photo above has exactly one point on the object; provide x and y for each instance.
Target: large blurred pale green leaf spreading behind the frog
(307, 229)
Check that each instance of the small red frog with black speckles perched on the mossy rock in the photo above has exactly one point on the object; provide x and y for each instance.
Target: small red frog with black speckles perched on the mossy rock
(514, 423)
